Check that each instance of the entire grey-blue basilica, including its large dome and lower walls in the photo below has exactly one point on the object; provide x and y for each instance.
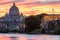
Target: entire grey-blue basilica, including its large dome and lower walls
(13, 20)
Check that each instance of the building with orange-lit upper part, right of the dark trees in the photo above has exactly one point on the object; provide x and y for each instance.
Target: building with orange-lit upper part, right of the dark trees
(50, 22)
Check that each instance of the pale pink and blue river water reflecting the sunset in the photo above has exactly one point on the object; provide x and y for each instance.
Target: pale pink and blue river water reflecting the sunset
(28, 37)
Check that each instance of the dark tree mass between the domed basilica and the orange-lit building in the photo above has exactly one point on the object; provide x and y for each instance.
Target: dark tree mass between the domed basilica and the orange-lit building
(33, 22)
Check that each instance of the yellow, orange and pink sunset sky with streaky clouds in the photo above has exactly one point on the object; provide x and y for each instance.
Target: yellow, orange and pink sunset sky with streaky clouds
(30, 7)
